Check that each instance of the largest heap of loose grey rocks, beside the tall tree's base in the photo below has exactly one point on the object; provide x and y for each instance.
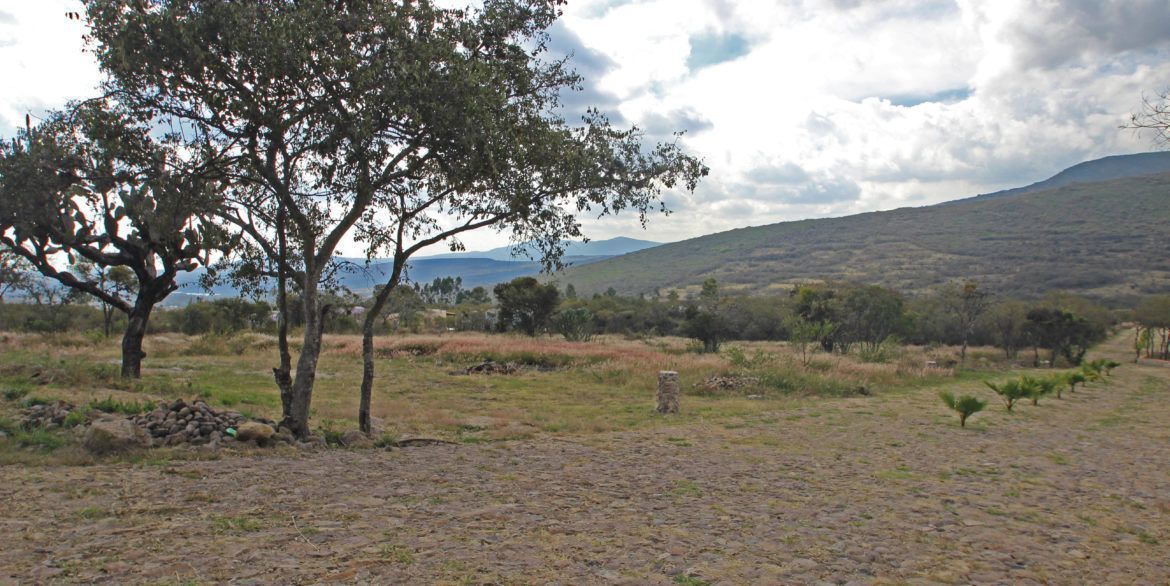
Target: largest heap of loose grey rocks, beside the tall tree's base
(197, 424)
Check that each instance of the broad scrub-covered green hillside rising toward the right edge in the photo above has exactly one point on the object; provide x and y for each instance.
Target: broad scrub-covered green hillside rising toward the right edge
(1107, 239)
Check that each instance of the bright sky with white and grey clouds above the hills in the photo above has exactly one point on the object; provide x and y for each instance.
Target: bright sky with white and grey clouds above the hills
(802, 109)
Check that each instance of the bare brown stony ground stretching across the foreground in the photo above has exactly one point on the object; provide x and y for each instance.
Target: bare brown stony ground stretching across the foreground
(869, 491)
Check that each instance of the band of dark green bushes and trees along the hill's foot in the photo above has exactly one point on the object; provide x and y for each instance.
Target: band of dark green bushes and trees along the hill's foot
(838, 318)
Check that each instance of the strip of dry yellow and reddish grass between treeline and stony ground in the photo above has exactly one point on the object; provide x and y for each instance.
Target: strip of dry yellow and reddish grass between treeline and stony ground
(562, 389)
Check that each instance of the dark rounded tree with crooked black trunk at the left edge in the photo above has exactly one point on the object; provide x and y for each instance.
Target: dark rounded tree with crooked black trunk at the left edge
(92, 183)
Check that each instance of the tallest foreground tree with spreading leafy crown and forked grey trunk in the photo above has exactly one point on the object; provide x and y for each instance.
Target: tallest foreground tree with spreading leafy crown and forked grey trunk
(339, 112)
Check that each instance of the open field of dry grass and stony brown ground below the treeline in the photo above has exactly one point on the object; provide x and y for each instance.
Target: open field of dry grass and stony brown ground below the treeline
(842, 472)
